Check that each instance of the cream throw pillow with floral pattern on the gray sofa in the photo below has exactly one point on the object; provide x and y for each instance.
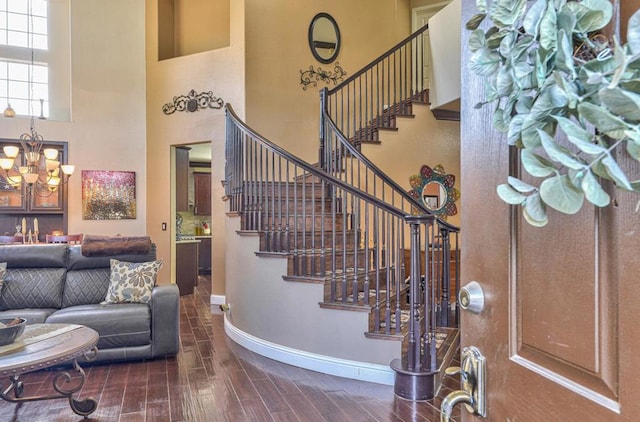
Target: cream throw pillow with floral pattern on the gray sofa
(132, 282)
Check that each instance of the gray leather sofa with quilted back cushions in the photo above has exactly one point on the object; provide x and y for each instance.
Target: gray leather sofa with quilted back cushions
(57, 284)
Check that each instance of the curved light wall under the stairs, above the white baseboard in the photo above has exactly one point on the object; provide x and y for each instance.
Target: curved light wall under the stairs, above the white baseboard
(286, 313)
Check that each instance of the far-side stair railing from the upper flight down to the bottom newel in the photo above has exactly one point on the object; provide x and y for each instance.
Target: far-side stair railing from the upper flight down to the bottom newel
(354, 112)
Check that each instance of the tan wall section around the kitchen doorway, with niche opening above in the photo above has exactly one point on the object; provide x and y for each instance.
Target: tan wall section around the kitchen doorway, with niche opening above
(220, 71)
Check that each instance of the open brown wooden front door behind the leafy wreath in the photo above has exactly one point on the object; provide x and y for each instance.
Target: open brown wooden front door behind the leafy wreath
(560, 329)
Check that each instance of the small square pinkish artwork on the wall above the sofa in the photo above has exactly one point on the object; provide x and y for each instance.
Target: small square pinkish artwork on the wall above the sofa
(108, 195)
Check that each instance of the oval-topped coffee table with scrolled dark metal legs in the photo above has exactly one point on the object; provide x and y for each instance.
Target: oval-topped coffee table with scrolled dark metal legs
(44, 346)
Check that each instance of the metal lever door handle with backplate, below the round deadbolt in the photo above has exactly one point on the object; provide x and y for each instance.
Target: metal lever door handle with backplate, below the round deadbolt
(472, 372)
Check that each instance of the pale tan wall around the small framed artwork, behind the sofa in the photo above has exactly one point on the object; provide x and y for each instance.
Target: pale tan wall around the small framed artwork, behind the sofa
(107, 127)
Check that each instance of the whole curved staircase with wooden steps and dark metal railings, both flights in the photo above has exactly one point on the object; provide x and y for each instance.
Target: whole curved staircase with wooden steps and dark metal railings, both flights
(343, 225)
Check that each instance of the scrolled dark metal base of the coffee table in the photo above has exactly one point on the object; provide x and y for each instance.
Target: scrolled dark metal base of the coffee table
(60, 384)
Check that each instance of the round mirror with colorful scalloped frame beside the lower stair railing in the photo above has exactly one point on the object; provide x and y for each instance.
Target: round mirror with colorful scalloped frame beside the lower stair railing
(434, 187)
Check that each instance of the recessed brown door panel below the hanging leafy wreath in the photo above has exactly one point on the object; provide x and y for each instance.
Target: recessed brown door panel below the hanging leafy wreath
(565, 324)
